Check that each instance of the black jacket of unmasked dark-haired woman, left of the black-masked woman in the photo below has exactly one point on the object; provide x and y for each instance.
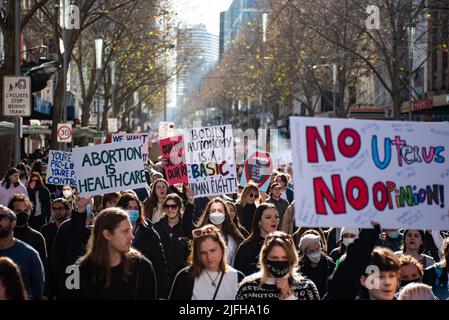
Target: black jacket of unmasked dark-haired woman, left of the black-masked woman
(247, 256)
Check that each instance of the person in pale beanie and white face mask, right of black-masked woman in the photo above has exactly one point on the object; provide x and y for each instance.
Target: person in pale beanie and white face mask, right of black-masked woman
(313, 261)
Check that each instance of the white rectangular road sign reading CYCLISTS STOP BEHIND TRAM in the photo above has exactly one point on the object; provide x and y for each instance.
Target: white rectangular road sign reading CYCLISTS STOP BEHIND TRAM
(16, 96)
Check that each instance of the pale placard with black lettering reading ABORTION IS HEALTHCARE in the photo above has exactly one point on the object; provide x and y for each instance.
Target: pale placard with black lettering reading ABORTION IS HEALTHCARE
(109, 167)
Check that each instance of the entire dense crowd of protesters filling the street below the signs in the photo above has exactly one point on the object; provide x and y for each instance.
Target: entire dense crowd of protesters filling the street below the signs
(162, 243)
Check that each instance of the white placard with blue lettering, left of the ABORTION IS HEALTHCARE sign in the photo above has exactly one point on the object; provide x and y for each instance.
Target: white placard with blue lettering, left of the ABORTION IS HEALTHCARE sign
(60, 169)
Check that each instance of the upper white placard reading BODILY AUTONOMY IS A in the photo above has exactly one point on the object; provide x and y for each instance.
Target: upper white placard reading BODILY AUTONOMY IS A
(209, 144)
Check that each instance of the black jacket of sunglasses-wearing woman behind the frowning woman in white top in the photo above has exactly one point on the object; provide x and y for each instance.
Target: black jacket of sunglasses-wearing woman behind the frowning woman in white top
(176, 246)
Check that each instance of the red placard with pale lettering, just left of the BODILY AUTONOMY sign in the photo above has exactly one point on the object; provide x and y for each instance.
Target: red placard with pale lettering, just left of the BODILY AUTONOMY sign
(174, 159)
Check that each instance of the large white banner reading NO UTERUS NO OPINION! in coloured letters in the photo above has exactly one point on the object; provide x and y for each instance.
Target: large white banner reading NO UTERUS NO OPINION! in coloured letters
(354, 172)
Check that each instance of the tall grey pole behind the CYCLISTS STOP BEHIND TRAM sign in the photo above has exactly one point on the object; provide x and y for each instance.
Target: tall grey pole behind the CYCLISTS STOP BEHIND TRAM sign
(17, 120)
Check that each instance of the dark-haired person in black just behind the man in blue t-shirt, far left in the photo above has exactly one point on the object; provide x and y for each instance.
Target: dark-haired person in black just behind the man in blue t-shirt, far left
(23, 207)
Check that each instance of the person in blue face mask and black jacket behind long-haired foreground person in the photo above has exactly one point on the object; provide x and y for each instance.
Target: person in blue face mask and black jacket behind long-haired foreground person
(147, 240)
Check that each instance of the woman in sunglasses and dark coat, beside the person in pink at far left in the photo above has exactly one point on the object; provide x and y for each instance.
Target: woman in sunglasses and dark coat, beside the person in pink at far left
(40, 198)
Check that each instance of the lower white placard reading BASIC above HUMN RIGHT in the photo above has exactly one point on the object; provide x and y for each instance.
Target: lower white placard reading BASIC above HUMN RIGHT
(210, 179)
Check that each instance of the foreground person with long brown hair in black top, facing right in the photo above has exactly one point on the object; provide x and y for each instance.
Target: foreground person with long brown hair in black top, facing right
(111, 269)
